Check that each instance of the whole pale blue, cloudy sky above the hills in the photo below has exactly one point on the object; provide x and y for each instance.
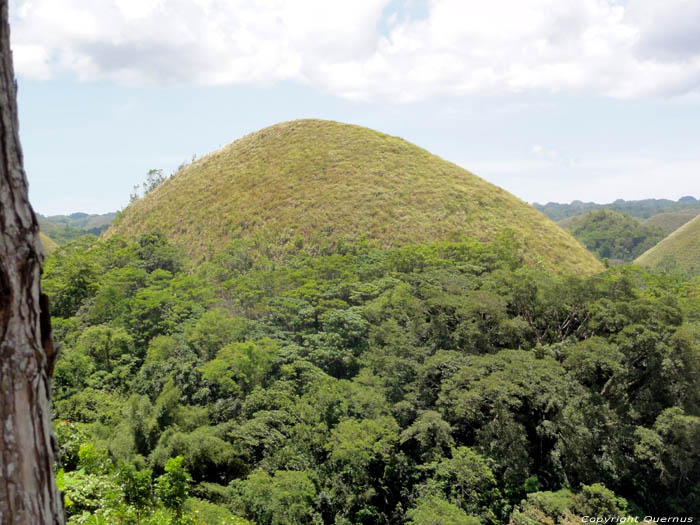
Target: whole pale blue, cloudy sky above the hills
(553, 100)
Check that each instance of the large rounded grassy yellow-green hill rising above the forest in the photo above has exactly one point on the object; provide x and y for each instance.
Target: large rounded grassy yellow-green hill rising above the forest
(315, 183)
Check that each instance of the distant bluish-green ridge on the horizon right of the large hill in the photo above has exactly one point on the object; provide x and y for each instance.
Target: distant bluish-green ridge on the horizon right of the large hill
(642, 209)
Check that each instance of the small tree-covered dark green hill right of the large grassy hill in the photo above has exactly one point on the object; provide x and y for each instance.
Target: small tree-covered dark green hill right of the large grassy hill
(613, 235)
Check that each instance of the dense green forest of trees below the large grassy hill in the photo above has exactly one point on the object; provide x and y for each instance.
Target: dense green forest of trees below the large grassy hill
(436, 383)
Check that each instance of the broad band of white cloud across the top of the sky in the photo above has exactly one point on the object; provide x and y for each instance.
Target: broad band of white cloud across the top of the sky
(601, 47)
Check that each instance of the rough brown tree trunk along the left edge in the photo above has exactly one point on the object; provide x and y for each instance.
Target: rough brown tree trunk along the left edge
(28, 493)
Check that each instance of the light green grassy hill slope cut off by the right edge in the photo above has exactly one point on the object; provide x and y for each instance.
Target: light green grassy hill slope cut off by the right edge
(679, 252)
